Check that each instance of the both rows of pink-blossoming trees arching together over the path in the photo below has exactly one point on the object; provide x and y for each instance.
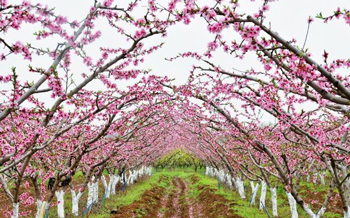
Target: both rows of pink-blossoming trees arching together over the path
(65, 122)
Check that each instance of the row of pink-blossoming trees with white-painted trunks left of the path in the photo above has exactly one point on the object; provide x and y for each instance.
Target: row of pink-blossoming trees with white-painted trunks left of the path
(55, 122)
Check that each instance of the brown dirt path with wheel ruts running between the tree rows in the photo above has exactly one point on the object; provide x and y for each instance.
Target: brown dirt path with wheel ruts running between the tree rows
(174, 202)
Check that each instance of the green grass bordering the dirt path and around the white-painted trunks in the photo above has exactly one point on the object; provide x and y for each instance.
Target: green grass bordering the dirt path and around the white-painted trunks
(241, 206)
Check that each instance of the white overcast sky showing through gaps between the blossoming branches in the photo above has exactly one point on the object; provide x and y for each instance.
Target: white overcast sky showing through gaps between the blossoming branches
(287, 17)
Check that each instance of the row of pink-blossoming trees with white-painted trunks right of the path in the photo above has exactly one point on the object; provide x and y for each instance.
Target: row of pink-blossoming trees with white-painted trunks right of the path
(308, 101)
